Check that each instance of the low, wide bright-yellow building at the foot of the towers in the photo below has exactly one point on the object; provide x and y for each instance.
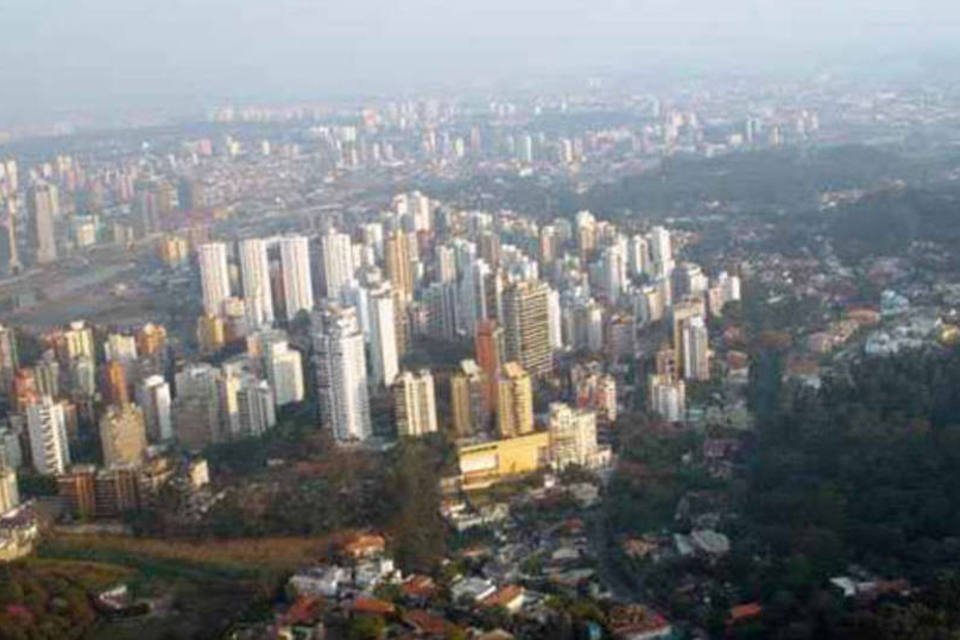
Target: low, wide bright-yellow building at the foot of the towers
(486, 463)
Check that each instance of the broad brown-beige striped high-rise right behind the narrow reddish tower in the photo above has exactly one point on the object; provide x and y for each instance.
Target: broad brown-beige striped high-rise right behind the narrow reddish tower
(526, 324)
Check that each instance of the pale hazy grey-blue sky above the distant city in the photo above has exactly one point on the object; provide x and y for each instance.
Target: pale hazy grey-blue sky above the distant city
(80, 54)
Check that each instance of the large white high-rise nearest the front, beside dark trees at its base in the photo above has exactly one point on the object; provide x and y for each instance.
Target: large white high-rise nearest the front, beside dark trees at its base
(341, 369)
